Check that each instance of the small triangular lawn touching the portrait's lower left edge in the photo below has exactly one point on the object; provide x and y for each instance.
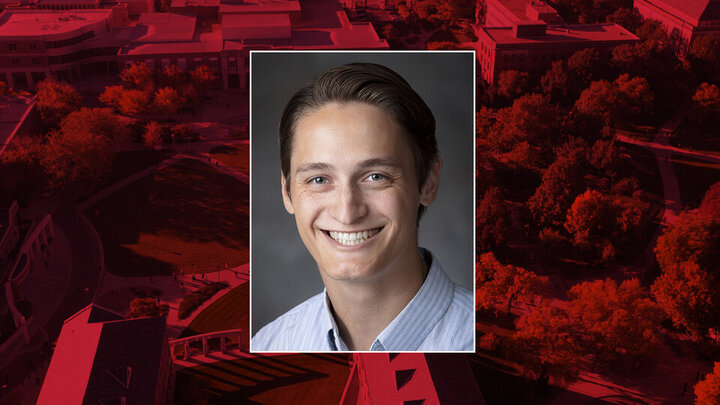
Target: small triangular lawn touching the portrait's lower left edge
(231, 311)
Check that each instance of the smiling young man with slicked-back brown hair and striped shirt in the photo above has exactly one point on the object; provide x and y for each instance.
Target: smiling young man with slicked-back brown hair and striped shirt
(359, 166)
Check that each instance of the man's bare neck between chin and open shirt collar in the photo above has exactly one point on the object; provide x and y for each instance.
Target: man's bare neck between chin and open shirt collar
(364, 309)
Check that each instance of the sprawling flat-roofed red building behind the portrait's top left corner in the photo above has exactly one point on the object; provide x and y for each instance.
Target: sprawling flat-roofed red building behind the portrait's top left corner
(185, 39)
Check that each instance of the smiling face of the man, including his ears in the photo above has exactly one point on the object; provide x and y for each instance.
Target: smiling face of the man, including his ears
(354, 191)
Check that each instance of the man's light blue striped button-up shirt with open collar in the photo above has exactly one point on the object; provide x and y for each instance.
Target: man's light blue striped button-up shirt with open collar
(438, 318)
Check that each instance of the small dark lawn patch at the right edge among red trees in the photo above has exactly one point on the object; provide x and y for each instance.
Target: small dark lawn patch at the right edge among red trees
(694, 178)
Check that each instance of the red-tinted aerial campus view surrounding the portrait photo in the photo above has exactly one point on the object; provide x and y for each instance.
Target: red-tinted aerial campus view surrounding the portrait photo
(124, 171)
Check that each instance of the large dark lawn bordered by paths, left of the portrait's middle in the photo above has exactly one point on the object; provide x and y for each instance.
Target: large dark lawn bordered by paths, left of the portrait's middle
(187, 216)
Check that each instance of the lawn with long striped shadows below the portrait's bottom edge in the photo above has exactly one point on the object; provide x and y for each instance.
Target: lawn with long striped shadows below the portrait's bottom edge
(288, 379)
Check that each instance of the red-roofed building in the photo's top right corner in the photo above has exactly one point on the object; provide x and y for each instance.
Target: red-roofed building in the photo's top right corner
(684, 20)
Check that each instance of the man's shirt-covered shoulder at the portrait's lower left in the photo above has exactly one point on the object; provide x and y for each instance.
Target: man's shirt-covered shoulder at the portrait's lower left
(286, 329)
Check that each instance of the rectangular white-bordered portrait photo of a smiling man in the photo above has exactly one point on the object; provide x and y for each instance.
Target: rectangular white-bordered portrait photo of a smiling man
(362, 208)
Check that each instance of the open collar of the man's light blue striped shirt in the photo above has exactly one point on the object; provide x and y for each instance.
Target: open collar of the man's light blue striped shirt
(412, 325)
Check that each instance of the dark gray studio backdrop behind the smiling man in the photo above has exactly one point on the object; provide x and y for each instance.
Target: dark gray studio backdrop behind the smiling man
(283, 273)
